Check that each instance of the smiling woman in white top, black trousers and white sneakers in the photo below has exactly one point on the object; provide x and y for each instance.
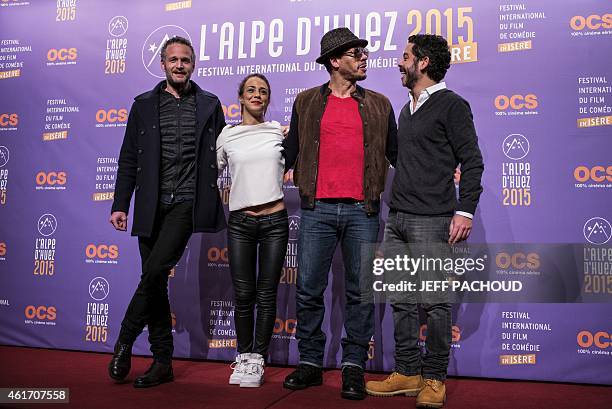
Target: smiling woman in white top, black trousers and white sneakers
(258, 228)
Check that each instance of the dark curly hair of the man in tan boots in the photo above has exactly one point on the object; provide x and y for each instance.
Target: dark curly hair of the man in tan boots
(434, 47)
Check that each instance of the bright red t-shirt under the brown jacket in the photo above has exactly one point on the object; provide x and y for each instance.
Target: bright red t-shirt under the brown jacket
(341, 154)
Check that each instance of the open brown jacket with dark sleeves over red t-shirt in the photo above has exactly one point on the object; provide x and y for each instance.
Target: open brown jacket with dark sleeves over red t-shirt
(379, 141)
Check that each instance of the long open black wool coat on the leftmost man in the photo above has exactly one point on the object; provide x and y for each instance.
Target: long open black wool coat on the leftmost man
(140, 157)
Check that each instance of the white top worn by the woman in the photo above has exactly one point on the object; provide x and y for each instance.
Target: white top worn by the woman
(256, 163)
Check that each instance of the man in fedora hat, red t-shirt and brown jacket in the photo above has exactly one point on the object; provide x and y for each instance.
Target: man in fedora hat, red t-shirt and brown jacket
(341, 140)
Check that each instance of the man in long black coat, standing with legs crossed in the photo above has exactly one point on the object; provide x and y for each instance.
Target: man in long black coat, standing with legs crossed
(168, 159)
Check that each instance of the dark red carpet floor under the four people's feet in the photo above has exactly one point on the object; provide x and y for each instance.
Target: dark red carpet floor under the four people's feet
(204, 385)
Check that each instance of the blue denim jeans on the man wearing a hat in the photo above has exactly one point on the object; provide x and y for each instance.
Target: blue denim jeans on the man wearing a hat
(321, 229)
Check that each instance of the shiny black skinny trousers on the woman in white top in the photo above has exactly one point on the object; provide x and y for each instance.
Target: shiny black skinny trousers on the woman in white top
(251, 239)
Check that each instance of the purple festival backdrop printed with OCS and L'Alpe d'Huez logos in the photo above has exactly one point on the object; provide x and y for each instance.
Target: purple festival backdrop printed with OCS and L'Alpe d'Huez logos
(536, 74)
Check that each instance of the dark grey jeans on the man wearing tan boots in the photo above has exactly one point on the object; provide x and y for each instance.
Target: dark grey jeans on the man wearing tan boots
(408, 228)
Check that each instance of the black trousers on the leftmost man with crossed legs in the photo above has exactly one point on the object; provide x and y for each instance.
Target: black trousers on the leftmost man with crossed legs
(159, 253)
